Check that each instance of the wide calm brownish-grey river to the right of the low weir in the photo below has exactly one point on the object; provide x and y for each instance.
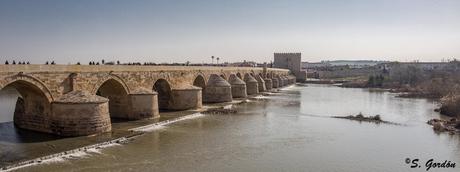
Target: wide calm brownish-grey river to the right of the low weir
(287, 131)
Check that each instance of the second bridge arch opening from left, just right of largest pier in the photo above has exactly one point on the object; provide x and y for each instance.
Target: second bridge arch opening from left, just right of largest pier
(117, 94)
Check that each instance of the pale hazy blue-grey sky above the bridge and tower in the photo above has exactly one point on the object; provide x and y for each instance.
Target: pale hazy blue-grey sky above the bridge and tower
(234, 30)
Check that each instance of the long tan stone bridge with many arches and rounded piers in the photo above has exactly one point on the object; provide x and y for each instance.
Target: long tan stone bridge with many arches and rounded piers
(73, 100)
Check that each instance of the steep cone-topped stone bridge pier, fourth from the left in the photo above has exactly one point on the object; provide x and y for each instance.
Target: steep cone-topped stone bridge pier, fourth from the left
(217, 90)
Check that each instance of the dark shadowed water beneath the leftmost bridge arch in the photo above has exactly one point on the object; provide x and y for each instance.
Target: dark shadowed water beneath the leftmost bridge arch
(11, 134)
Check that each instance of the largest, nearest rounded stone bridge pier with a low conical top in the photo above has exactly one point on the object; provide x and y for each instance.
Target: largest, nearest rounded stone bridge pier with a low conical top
(79, 113)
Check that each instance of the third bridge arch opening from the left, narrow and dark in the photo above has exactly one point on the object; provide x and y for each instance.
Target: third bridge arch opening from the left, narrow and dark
(163, 88)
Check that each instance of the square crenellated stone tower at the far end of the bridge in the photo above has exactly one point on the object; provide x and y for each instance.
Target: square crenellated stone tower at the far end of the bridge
(291, 61)
